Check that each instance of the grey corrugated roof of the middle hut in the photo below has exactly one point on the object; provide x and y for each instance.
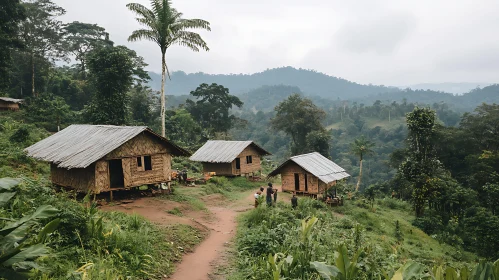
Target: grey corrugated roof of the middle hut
(219, 151)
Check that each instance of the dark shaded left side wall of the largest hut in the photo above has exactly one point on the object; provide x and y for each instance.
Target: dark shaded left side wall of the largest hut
(81, 179)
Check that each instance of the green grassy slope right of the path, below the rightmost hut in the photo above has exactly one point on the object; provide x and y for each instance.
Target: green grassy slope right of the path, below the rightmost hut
(265, 231)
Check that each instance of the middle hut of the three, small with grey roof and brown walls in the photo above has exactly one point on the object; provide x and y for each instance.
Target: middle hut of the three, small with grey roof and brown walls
(230, 158)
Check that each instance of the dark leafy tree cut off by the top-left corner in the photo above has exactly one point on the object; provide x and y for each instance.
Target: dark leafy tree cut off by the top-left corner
(11, 14)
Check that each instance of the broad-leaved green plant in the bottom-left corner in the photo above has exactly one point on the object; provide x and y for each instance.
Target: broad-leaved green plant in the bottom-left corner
(17, 251)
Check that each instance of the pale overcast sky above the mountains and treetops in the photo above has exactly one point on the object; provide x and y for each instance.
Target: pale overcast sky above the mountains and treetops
(392, 42)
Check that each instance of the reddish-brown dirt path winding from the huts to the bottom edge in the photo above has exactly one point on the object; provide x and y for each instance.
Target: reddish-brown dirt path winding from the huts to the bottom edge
(219, 220)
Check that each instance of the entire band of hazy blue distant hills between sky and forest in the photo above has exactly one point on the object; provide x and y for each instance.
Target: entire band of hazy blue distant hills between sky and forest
(264, 90)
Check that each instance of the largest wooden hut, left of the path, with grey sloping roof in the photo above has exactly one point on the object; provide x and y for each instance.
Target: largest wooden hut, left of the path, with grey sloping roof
(101, 158)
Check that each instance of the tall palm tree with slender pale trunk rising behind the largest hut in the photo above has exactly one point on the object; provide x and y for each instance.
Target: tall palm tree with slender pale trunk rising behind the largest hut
(165, 26)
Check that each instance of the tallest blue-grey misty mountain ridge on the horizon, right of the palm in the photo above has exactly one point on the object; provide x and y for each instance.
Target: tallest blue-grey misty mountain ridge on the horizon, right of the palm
(309, 81)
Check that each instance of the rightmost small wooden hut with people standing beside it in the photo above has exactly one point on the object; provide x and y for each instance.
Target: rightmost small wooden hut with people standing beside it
(309, 174)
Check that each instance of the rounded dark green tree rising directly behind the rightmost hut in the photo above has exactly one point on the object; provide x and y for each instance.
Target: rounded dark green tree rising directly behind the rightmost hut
(297, 117)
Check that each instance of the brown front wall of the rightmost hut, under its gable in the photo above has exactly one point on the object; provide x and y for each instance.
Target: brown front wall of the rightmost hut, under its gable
(315, 186)
